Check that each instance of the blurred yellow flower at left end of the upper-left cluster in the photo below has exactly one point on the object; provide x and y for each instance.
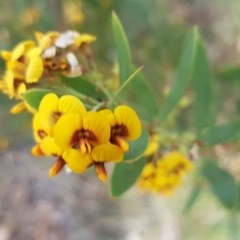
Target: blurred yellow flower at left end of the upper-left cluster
(24, 67)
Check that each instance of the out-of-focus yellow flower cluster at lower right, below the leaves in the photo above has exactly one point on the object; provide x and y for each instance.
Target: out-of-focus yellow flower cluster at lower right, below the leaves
(165, 174)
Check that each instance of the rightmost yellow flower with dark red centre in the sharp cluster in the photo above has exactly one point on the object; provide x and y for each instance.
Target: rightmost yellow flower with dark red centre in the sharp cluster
(125, 126)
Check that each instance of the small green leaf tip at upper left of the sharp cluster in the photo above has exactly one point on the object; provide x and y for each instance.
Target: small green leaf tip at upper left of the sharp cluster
(33, 97)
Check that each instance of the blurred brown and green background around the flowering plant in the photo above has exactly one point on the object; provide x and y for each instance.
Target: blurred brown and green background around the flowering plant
(71, 207)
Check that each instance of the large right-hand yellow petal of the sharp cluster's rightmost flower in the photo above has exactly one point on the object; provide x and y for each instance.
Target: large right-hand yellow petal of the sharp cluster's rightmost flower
(127, 117)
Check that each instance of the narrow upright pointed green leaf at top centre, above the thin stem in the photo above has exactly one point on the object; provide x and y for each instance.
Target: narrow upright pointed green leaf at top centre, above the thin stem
(122, 48)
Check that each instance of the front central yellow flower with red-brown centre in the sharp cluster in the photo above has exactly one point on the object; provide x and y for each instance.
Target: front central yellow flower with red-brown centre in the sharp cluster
(85, 141)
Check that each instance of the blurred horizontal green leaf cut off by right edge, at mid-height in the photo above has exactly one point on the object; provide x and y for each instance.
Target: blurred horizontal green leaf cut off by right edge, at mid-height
(222, 133)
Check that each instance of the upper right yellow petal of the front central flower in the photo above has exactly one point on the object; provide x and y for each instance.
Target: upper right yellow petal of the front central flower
(97, 124)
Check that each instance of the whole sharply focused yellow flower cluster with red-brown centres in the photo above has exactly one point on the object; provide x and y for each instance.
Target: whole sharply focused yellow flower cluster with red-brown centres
(80, 138)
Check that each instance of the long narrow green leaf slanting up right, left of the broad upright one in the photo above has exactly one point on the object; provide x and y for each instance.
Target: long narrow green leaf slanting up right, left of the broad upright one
(183, 75)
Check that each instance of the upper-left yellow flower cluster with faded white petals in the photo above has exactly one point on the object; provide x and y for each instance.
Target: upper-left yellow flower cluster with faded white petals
(54, 52)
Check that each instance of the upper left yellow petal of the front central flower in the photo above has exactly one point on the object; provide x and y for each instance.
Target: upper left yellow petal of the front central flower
(65, 128)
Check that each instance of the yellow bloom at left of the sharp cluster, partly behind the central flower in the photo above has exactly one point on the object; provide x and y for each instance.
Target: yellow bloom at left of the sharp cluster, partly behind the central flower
(50, 110)
